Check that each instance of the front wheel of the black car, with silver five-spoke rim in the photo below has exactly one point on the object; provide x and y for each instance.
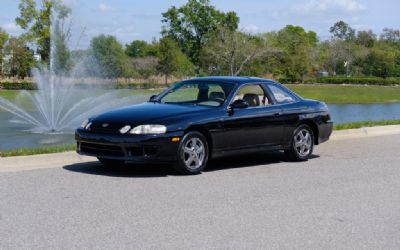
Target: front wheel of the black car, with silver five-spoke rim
(192, 154)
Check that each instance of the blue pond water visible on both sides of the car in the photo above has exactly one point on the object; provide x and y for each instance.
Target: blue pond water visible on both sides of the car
(14, 135)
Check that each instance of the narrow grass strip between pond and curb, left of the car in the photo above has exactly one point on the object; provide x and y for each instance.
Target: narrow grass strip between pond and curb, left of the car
(36, 151)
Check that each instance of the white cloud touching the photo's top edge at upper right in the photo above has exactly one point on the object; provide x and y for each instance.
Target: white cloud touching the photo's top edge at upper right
(329, 5)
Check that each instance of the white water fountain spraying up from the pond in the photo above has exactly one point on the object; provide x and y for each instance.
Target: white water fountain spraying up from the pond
(60, 104)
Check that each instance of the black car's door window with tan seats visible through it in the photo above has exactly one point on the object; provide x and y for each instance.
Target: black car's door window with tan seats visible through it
(254, 95)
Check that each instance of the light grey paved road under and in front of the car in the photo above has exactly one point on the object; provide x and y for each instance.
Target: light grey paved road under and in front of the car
(346, 197)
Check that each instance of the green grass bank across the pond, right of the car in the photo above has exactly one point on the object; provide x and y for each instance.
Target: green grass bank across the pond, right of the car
(348, 93)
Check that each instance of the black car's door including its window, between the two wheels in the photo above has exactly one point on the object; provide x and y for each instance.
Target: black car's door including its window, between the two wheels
(257, 125)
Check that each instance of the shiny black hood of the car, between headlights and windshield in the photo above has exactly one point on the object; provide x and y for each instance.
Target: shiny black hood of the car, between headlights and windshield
(145, 113)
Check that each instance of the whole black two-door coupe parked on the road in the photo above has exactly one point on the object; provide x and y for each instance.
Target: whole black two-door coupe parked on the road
(203, 118)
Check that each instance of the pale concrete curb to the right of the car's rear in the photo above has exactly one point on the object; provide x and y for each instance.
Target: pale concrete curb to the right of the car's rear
(365, 132)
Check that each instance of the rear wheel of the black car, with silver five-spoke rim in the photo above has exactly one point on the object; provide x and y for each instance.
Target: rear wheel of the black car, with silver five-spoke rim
(302, 144)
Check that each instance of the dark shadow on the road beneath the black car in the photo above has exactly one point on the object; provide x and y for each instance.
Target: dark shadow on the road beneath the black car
(156, 171)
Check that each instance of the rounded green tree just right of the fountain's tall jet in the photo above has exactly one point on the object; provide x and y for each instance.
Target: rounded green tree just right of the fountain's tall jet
(110, 56)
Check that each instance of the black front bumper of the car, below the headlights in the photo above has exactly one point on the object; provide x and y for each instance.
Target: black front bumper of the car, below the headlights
(136, 148)
